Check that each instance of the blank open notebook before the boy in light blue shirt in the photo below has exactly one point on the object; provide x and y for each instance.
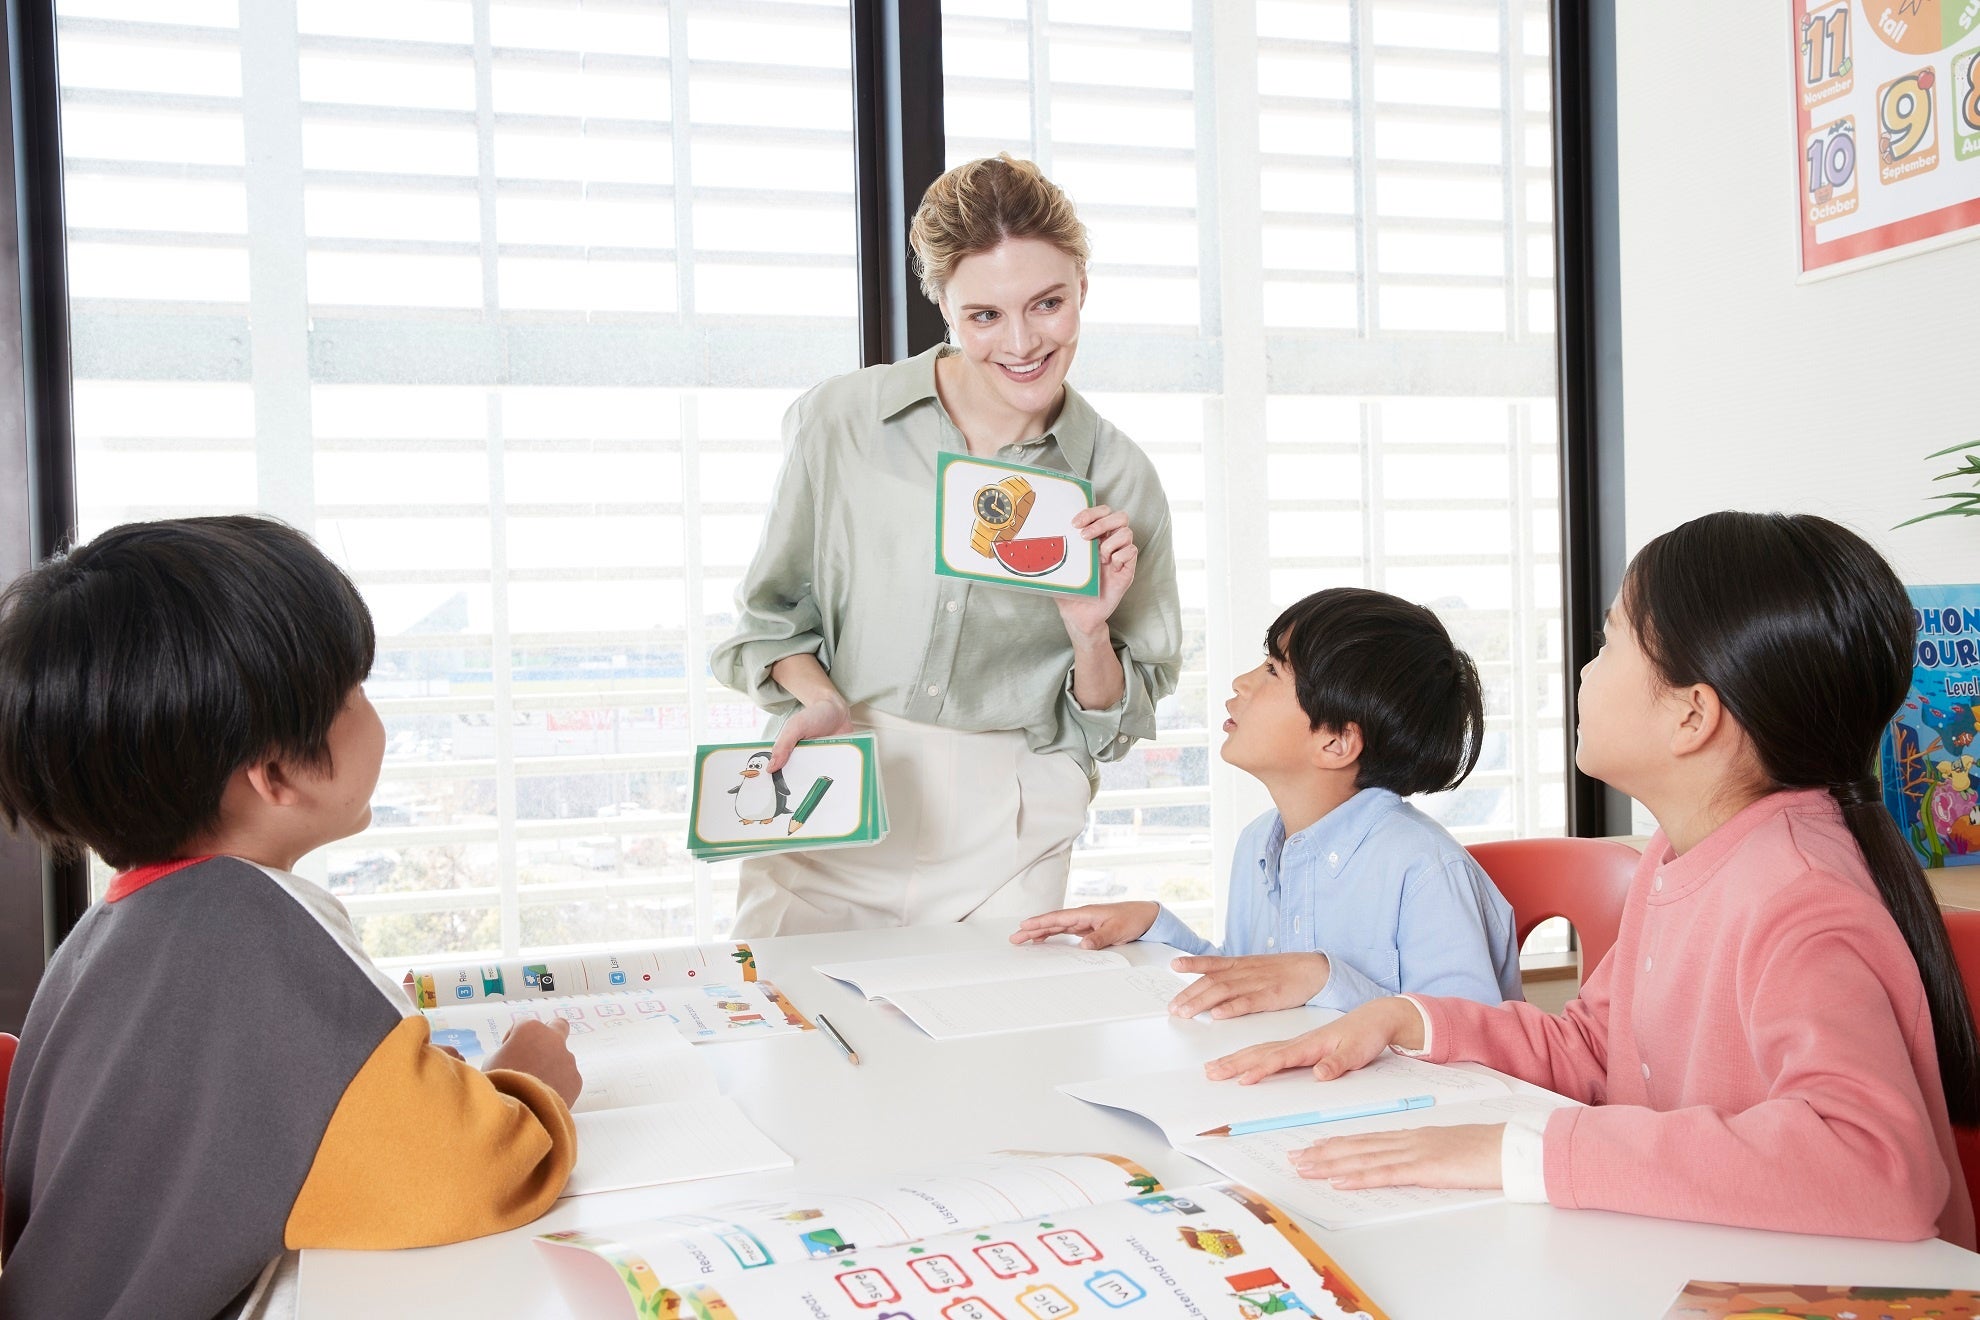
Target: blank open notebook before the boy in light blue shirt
(1019, 989)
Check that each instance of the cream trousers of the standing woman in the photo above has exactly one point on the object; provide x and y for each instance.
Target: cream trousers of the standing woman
(981, 828)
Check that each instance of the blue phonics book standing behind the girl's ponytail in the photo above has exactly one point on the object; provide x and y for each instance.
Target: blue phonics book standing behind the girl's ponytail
(1930, 751)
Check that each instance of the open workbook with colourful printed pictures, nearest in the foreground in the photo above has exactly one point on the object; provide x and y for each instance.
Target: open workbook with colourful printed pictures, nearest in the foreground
(1015, 1236)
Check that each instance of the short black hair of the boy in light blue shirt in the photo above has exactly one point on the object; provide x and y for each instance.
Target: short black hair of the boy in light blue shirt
(1389, 668)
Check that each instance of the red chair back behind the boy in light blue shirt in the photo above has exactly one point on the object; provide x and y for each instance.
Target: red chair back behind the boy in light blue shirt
(1581, 880)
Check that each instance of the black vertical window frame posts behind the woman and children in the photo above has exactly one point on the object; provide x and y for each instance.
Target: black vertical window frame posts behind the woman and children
(898, 104)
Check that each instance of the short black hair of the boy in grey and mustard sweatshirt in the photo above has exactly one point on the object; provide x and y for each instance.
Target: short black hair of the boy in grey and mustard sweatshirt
(140, 672)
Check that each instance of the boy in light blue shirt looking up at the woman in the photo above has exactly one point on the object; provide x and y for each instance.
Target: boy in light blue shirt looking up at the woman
(1345, 892)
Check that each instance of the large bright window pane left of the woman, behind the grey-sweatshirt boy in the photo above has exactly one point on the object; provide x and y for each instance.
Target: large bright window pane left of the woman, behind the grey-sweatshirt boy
(504, 304)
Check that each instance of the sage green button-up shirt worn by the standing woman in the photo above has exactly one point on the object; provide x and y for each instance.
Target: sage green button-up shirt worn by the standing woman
(846, 573)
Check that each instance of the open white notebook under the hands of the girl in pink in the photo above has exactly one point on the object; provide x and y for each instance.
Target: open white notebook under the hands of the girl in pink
(1187, 1105)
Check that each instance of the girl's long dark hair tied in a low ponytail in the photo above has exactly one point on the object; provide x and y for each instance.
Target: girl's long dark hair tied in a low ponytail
(1805, 632)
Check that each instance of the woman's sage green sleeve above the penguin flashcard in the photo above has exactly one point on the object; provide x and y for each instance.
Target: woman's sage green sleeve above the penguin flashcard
(777, 607)
